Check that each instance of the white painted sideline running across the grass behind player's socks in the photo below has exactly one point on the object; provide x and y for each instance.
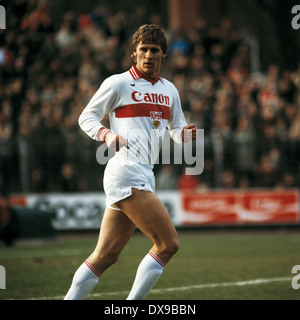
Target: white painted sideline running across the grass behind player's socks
(184, 288)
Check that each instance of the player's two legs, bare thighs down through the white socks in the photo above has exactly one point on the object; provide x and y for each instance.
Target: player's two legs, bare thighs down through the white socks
(144, 210)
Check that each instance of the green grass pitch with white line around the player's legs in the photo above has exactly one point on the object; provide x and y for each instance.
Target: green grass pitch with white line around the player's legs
(210, 265)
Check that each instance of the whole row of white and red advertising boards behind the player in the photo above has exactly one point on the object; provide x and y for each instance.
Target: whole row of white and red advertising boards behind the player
(212, 208)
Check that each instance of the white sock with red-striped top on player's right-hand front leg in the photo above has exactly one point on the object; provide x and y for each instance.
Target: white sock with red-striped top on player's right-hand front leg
(148, 272)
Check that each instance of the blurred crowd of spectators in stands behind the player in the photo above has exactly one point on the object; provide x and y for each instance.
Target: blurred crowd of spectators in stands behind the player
(50, 69)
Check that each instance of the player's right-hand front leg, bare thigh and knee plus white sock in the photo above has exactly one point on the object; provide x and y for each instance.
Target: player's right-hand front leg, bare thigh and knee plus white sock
(149, 214)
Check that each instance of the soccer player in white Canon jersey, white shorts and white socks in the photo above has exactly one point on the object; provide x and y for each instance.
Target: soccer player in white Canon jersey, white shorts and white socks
(141, 105)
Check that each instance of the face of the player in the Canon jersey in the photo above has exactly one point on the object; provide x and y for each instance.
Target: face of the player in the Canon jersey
(148, 59)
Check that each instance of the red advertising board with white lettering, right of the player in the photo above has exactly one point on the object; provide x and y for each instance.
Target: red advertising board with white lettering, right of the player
(240, 207)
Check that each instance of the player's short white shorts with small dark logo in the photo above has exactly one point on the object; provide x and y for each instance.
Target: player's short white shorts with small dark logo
(121, 175)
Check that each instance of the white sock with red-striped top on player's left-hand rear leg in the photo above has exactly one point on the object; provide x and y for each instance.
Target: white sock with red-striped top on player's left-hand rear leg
(84, 281)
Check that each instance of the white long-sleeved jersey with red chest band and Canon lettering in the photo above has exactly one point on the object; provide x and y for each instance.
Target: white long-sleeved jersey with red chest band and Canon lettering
(138, 109)
